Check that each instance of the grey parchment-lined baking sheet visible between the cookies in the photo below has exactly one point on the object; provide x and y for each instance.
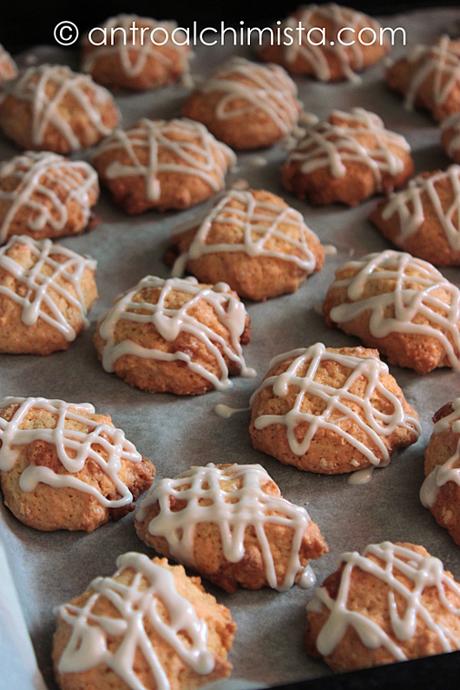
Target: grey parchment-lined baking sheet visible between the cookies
(177, 432)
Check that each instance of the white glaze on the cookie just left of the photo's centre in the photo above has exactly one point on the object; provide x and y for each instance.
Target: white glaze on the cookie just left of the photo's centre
(152, 304)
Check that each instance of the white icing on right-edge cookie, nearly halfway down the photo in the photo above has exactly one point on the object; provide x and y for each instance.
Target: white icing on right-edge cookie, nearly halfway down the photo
(413, 291)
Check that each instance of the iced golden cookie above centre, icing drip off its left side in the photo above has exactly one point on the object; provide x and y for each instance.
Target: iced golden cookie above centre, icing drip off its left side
(253, 241)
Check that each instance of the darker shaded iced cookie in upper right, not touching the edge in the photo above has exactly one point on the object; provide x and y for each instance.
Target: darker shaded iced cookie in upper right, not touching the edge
(347, 158)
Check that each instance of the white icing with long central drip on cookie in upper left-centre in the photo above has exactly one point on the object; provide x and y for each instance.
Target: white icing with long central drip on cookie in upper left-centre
(199, 153)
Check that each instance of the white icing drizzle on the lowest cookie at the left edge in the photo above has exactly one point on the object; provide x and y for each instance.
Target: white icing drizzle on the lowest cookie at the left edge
(103, 444)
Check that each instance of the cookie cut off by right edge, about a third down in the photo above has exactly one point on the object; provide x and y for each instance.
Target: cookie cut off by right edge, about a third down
(423, 218)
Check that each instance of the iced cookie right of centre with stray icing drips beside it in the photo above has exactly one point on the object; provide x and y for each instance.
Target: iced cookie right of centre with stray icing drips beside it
(331, 410)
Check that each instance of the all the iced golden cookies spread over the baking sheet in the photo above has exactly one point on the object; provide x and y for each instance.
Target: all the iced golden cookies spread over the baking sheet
(320, 409)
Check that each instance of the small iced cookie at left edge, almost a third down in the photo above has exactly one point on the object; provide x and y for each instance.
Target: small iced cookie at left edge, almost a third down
(45, 195)
